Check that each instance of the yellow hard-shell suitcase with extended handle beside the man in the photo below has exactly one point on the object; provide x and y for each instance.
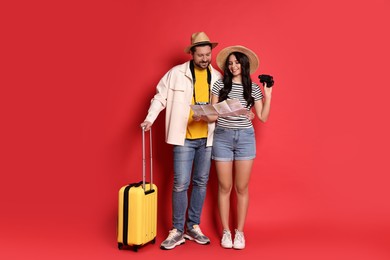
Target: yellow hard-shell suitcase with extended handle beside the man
(137, 209)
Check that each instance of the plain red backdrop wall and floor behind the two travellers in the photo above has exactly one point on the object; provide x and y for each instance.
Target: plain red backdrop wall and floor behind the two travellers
(76, 81)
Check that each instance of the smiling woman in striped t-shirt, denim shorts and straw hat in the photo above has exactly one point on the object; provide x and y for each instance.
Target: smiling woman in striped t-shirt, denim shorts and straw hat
(234, 146)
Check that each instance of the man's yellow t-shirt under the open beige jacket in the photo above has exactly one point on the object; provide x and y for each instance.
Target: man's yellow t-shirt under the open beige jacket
(198, 129)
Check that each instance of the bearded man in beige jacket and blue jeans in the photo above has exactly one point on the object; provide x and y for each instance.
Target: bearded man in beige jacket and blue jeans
(191, 136)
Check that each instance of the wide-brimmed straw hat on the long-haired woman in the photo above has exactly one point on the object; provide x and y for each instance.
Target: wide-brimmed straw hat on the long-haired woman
(224, 53)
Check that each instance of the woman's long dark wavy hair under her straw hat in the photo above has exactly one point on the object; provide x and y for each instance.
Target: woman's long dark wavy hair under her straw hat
(245, 75)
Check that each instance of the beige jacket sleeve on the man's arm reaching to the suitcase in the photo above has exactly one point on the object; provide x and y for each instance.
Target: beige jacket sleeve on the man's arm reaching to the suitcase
(159, 101)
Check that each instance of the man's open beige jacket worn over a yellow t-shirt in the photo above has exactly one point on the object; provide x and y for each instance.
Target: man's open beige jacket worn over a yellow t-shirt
(174, 92)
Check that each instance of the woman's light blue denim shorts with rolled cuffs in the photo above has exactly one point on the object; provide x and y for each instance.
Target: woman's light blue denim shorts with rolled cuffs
(234, 144)
